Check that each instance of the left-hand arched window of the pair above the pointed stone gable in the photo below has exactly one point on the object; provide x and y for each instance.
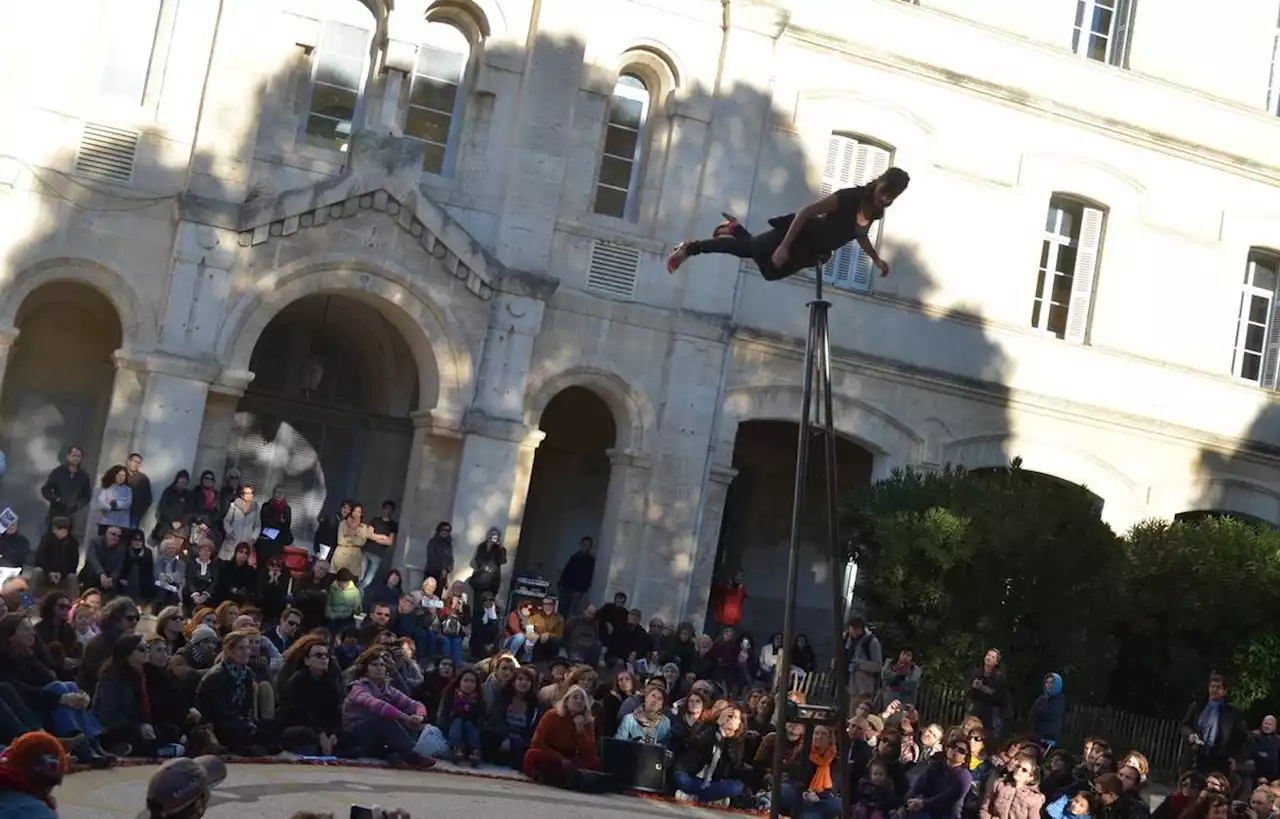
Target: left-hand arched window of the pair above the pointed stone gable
(339, 71)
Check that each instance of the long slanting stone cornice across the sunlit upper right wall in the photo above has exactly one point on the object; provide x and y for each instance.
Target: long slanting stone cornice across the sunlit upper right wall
(1043, 107)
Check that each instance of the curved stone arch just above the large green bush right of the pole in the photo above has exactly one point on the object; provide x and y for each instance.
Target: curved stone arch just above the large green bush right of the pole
(1068, 464)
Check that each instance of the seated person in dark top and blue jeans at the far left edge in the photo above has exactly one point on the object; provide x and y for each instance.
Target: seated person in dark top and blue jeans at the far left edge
(49, 699)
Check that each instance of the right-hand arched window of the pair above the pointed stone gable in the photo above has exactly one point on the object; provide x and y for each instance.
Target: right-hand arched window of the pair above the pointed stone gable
(437, 94)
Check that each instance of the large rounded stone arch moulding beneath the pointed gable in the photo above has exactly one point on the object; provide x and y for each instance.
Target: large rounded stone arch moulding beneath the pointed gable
(419, 309)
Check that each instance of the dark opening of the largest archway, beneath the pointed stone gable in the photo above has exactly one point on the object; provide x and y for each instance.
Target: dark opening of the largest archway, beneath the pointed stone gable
(327, 415)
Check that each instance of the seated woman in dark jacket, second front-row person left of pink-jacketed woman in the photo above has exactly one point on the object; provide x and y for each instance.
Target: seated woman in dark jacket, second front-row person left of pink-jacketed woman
(227, 697)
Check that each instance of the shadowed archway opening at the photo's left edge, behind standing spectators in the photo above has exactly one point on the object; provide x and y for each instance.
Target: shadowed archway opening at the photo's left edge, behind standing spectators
(57, 391)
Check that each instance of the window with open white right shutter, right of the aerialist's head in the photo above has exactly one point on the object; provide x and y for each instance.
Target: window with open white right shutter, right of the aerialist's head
(1068, 269)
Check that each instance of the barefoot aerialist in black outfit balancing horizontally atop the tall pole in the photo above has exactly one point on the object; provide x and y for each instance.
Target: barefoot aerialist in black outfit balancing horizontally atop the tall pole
(810, 236)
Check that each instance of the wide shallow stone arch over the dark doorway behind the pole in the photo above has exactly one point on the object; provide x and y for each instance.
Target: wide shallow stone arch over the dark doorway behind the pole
(890, 442)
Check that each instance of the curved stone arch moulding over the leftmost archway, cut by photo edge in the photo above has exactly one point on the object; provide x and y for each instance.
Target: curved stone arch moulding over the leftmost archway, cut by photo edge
(138, 323)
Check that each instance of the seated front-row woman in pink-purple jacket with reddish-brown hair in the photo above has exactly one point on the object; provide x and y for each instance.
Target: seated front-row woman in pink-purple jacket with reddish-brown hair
(380, 721)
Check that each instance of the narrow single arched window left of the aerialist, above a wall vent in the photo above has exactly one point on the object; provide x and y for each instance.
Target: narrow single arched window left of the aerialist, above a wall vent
(624, 148)
